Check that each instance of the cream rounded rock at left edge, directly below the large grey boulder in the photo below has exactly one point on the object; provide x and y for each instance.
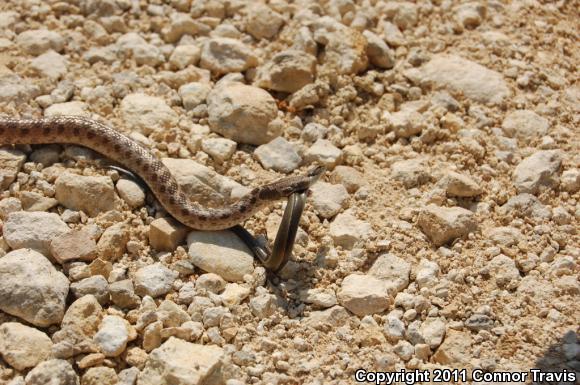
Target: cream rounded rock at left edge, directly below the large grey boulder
(23, 347)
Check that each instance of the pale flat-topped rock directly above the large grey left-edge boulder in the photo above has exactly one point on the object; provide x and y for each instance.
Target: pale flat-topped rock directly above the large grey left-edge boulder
(33, 230)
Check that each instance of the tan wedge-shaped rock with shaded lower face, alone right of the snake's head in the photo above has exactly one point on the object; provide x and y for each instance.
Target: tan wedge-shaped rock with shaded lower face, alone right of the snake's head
(444, 224)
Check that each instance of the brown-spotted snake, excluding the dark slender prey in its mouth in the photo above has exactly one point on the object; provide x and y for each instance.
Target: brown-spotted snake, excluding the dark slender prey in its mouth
(121, 149)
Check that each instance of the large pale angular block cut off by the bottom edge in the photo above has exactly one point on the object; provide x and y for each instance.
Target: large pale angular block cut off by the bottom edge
(181, 362)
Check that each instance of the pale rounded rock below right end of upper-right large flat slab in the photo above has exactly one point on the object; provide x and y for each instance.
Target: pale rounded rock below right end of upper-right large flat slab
(524, 125)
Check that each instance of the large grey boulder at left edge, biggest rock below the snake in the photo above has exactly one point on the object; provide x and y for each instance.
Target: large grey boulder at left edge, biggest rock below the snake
(27, 277)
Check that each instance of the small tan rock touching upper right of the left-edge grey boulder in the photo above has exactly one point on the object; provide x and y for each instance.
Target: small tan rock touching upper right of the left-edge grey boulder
(73, 245)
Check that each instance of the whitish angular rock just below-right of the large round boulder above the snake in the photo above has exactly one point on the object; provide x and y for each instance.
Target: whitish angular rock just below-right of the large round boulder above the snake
(278, 155)
